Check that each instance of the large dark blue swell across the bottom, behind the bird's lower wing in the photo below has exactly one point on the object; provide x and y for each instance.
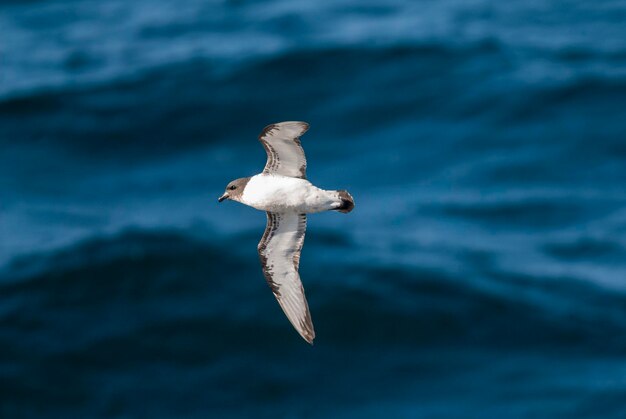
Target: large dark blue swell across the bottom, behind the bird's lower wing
(168, 316)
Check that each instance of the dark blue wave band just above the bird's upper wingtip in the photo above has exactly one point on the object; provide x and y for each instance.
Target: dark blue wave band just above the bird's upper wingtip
(125, 115)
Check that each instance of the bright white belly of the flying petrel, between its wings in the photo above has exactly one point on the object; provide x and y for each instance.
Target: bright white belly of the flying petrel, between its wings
(286, 194)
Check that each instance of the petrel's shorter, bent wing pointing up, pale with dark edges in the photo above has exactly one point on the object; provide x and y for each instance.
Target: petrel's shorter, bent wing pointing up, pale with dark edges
(284, 152)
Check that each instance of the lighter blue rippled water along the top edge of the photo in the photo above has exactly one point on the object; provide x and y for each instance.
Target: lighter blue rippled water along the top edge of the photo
(127, 38)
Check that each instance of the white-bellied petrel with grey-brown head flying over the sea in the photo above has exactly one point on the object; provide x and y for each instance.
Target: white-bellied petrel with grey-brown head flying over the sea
(284, 193)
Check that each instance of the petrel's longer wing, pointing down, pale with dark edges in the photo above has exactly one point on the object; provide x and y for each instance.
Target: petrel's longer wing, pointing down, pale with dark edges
(279, 251)
